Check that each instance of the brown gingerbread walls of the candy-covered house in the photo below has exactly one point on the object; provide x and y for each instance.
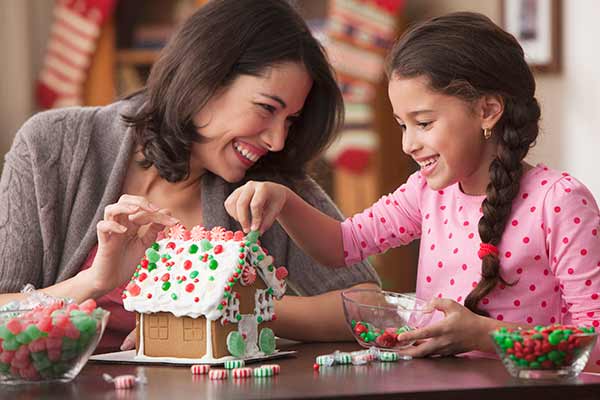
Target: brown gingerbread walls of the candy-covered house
(166, 335)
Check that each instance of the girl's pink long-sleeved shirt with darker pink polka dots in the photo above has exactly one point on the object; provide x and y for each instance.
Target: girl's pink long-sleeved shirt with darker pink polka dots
(550, 246)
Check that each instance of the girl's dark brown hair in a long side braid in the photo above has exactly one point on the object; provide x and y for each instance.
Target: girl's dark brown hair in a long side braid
(467, 56)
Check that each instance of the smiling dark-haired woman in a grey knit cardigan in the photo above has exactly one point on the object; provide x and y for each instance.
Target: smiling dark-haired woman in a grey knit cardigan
(242, 91)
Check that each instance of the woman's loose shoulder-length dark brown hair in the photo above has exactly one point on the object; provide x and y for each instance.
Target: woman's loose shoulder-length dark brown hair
(219, 42)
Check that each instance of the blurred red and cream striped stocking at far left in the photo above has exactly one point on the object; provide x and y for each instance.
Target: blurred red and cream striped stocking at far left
(72, 42)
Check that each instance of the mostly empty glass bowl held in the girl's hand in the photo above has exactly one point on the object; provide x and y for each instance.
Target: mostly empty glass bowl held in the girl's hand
(376, 317)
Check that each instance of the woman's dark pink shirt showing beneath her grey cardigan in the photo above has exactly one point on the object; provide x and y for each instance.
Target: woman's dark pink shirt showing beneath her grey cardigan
(121, 321)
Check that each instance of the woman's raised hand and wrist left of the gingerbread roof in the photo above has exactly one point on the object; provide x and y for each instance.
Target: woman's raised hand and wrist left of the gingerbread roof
(129, 227)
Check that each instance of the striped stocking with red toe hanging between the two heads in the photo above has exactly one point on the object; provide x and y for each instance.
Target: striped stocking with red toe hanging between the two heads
(359, 32)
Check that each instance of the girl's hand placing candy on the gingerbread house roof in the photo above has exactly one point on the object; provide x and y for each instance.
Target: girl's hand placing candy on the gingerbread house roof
(256, 205)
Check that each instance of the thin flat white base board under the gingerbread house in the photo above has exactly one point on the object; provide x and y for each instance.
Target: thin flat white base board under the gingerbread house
(128, 357)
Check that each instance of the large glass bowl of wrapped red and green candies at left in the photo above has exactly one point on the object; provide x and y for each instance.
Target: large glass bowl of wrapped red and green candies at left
(50, 342)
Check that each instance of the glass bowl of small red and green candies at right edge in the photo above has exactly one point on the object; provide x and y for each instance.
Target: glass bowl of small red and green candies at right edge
(545, 352)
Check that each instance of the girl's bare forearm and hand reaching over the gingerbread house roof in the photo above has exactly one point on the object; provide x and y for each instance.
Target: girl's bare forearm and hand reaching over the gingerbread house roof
(256, 205)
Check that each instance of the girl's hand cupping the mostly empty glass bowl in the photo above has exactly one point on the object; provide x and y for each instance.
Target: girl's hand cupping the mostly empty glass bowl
(460, 331)
